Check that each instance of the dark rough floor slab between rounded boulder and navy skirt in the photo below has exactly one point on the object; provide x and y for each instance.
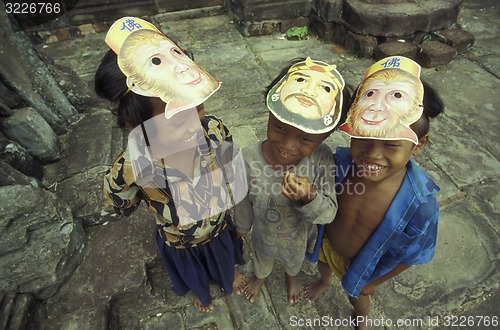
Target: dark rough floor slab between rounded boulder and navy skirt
(103, 274)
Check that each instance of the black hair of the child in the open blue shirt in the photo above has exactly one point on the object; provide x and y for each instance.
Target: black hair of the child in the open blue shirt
(433, 106)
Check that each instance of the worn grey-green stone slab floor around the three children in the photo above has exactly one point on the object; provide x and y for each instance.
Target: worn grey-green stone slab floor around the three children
(120, 283)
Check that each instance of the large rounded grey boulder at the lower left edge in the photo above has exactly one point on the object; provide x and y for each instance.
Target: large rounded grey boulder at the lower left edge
(41, 244)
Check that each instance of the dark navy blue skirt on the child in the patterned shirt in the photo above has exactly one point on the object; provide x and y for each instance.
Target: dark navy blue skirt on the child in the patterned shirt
(196, 267)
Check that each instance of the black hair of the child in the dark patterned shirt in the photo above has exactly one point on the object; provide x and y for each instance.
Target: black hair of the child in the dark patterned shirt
(110, 84)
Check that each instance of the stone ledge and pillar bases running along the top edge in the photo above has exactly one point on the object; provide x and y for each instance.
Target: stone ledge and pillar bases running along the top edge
(367, 28)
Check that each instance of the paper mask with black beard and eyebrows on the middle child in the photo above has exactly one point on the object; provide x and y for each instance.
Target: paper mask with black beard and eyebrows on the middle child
(308, 97)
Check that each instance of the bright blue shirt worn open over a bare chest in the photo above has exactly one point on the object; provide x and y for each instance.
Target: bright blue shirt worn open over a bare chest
(407, 235)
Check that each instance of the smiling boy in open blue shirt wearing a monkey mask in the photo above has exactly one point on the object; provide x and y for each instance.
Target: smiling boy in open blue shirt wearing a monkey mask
(388, 213)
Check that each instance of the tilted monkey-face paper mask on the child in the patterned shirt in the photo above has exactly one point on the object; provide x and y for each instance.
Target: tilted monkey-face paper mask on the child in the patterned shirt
(156, 67)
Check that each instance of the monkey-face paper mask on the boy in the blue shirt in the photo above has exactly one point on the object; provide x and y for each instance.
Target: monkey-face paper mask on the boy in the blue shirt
(388, 101)
